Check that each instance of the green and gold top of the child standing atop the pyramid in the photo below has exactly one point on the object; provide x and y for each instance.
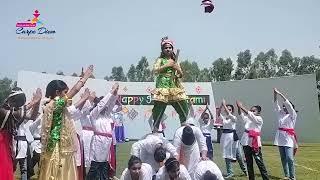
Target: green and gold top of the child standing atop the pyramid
(166, 78)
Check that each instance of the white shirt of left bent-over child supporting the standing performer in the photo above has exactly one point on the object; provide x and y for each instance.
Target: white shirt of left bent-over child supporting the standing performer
(145, 148)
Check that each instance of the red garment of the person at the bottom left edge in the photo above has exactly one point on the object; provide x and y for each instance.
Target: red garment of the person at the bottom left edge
(6, 167)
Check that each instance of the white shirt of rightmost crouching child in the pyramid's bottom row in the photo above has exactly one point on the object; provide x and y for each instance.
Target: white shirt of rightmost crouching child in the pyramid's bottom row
(205, 166)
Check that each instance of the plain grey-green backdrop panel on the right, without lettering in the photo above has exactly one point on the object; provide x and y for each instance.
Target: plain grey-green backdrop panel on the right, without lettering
(300, 90)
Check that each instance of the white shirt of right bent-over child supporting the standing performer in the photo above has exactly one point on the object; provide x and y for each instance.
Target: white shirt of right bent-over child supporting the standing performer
(190, 155)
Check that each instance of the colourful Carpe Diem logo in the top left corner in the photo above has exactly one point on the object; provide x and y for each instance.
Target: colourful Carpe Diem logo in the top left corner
(34, 28)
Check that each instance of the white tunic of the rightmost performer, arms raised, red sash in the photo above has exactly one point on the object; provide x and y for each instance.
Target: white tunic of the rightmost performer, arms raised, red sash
(282, 138)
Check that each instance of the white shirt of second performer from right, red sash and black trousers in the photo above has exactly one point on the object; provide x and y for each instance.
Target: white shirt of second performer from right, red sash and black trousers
(252, 122)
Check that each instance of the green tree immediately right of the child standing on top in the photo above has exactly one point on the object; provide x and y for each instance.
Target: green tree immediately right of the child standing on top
(190, 71)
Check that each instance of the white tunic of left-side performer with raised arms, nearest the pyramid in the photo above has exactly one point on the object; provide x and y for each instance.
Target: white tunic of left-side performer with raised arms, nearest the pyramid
(102, 123)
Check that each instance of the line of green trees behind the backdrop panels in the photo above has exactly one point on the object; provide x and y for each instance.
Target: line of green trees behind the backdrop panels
(264, 65)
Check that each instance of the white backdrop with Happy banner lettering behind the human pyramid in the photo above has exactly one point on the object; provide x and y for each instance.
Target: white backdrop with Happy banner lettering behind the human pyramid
(135, 97)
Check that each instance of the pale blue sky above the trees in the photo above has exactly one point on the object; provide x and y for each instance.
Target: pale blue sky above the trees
(110, 33)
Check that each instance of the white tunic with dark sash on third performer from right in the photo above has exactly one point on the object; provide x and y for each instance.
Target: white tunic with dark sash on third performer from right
(227, 144)
